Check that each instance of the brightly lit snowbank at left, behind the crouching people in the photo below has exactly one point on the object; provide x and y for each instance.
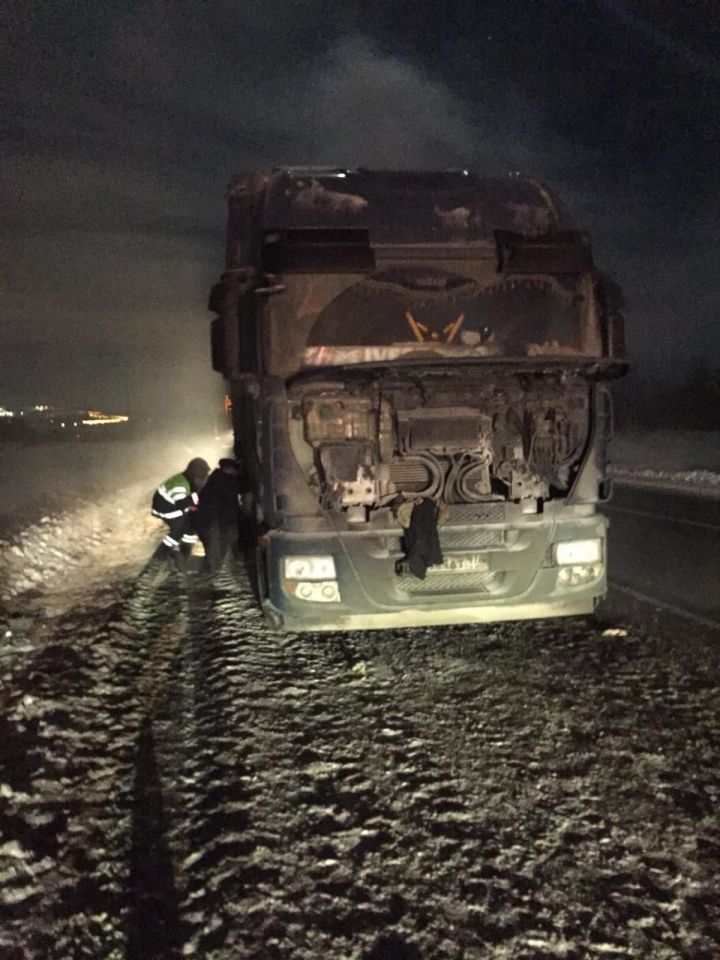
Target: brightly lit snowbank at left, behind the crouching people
(76, 516)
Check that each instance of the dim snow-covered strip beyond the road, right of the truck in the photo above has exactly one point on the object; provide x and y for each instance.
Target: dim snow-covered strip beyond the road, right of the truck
(670, 459)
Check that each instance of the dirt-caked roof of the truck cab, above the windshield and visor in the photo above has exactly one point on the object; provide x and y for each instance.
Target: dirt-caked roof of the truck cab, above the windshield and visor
(402, 206)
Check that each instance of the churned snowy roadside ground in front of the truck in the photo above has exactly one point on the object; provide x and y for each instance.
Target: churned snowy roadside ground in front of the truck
(177, 779)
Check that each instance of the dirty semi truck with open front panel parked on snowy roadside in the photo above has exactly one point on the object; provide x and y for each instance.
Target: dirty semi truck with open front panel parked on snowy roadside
(418, 365)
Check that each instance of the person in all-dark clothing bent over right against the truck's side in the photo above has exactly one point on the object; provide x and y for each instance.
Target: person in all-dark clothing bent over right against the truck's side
(217, 516)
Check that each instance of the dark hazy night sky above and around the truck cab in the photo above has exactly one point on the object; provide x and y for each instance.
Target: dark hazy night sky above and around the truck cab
(121, 123)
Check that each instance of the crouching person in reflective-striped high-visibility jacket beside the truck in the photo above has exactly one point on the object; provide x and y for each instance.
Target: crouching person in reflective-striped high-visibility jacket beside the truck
(173, 501)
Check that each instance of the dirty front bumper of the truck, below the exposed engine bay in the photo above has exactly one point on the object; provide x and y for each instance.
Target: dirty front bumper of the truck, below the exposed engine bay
(519, 582)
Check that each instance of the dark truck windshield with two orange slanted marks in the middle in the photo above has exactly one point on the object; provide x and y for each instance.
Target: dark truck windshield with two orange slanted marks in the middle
(411, 310)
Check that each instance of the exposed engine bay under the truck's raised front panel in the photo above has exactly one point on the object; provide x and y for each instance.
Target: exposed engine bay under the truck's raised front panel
(457, 438)
